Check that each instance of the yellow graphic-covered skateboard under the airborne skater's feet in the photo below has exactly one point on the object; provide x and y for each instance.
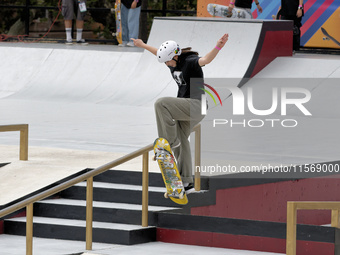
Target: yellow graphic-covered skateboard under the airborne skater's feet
(171, 177)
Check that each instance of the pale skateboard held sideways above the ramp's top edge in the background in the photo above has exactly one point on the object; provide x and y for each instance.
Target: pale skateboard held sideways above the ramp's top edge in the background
(223, 11)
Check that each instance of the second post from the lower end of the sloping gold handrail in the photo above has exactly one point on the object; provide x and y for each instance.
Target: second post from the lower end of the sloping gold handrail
(89, 213)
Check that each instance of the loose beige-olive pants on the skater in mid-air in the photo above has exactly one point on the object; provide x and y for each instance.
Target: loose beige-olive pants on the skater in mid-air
(175, 119)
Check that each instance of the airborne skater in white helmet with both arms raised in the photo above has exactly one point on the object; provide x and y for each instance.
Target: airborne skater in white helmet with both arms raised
(176, 116)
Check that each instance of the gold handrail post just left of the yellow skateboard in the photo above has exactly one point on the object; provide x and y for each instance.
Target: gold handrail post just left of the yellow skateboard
(145, 191)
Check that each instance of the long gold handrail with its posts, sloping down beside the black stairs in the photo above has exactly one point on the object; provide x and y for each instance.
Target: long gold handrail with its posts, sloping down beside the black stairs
(88, 177)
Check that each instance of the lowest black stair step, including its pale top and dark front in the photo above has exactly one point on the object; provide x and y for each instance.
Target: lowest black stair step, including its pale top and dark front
(68, 229)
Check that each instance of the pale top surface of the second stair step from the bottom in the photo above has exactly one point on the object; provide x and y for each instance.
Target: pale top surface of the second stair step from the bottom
(109, 205)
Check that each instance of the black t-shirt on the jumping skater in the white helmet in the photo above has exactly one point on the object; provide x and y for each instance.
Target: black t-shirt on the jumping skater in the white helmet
(186, 69)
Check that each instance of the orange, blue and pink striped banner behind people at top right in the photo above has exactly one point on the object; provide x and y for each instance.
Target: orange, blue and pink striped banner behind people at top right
(320, 24)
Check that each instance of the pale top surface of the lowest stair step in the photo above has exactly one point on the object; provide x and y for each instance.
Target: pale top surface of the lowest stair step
(80, 223)
